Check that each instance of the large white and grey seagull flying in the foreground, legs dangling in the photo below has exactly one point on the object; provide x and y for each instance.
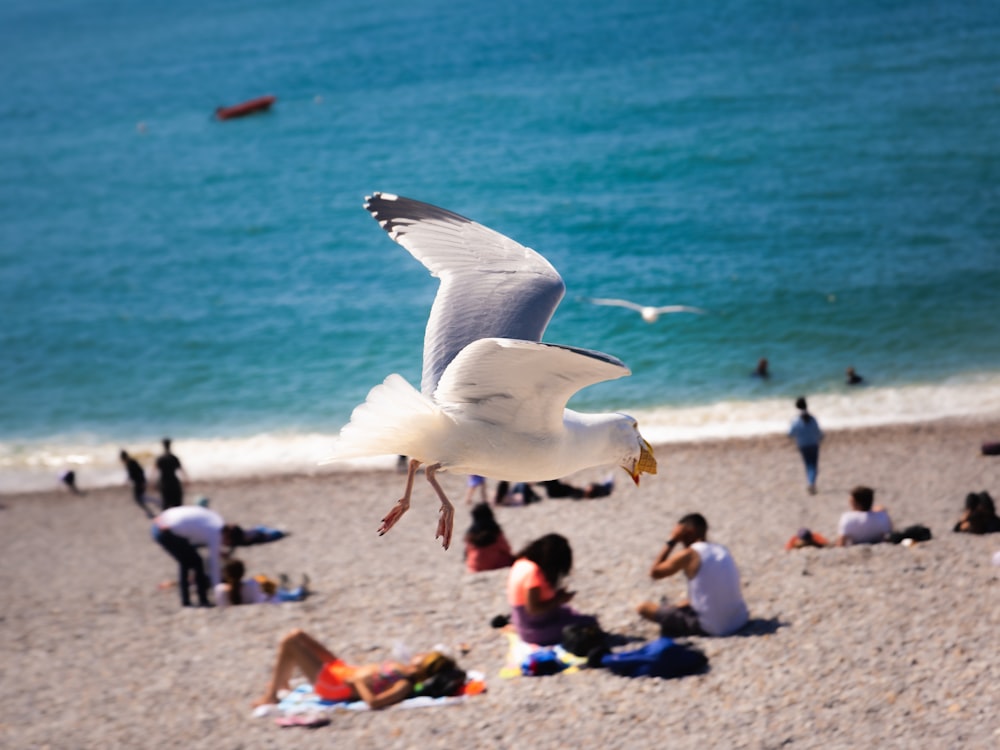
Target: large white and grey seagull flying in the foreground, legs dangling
(492, 399)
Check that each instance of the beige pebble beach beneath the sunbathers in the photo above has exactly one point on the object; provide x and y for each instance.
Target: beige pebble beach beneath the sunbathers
(872, 646)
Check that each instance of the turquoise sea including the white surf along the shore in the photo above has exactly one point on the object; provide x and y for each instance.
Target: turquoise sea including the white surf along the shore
(824, 178)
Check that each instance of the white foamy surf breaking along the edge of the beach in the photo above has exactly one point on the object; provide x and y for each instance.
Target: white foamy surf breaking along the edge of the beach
(32, 466)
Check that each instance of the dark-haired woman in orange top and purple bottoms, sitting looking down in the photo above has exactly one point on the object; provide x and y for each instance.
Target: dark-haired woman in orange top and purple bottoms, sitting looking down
(539, 603)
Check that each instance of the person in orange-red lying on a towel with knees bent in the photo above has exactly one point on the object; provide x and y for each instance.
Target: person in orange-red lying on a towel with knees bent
(378, 685)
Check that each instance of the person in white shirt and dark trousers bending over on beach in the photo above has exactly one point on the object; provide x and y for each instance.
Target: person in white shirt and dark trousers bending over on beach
(179, 530)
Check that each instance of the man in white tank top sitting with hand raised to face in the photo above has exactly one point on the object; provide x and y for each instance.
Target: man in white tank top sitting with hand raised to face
(714, 605)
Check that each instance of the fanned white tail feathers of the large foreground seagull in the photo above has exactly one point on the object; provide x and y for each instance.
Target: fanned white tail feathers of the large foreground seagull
(387, 422)
